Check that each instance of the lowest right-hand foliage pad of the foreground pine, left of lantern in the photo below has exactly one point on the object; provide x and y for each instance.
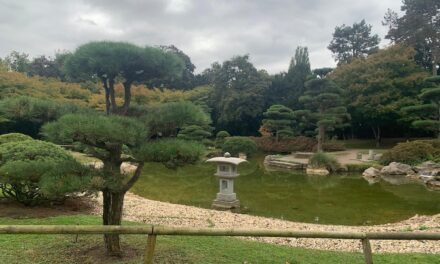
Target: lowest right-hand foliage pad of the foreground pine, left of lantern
(172, 152)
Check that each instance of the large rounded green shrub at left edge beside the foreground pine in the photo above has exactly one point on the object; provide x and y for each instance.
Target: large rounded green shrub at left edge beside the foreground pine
(32, 171)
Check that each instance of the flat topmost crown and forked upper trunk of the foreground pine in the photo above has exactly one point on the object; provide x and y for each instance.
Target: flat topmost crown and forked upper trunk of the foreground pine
(113, 61)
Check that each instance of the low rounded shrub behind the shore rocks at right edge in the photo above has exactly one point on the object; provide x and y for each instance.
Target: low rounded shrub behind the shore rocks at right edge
(412, 153)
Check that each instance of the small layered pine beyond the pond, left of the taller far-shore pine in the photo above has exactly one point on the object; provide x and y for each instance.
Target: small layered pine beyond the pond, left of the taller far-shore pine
(279, 120)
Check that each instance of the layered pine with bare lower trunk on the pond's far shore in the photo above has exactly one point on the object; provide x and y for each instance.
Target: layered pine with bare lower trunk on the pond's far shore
(323, 107)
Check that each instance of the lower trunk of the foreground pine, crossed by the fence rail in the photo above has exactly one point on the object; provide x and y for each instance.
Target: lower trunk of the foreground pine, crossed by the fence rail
(112, 215)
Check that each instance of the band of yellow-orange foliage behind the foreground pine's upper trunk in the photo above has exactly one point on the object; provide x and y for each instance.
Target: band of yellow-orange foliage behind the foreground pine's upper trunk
(18, 84)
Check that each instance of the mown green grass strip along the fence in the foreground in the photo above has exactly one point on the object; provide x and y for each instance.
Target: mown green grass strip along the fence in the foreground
(169, 249)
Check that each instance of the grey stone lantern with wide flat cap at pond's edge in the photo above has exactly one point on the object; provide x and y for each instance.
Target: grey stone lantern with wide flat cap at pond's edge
(226, 172)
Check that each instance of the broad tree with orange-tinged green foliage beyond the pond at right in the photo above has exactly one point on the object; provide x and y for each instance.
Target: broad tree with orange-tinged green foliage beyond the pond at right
(379, 86)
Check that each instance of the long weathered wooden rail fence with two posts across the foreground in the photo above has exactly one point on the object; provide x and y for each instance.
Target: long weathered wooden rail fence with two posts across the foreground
(154, 231)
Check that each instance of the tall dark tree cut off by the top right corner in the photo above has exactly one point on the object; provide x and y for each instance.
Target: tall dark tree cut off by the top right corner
(419, 26)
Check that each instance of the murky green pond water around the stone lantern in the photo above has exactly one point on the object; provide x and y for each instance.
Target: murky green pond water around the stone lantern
(345, 199)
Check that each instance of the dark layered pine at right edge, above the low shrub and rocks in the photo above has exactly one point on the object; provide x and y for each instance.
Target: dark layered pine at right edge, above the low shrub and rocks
(427, 115)
